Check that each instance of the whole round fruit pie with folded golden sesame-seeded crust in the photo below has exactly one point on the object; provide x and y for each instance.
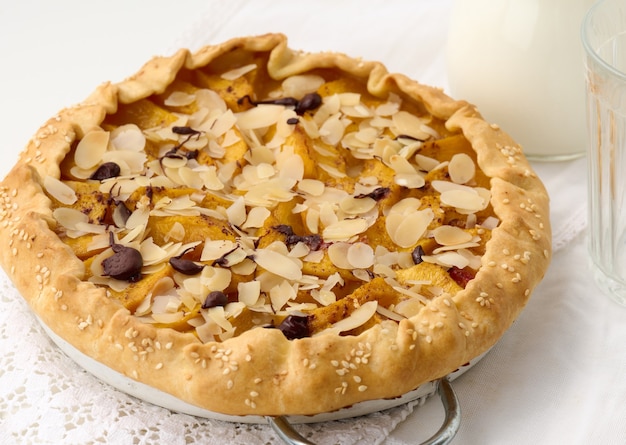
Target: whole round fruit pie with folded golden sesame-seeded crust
(257, 230)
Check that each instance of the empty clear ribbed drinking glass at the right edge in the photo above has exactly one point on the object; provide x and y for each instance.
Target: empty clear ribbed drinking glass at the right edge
(604, 43)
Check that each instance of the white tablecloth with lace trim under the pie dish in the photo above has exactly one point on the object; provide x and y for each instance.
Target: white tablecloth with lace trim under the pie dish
(557, 376)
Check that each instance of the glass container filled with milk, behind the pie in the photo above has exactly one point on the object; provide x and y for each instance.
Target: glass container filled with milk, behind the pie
(519, 62)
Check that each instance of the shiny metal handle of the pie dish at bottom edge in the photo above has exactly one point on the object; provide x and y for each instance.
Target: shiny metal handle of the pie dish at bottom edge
(444, 436)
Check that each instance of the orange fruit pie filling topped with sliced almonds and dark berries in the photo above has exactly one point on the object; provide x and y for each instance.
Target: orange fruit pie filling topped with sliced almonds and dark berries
(233, 201)
